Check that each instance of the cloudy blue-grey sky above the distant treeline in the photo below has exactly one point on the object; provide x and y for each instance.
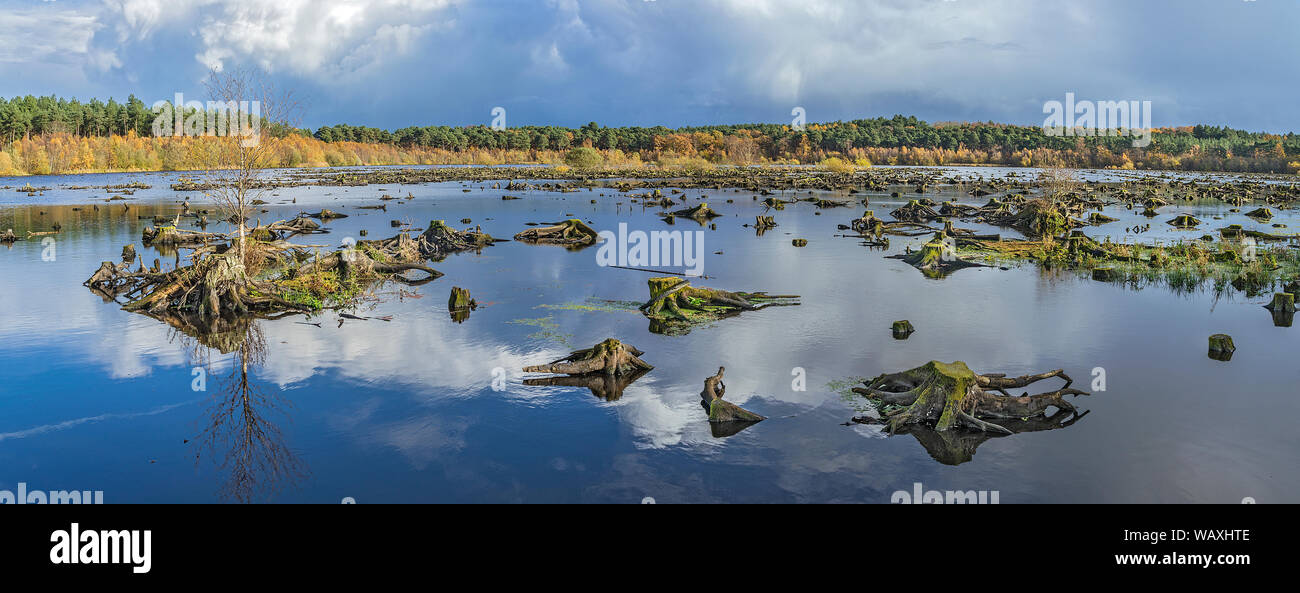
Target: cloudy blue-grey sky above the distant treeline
(400, 63)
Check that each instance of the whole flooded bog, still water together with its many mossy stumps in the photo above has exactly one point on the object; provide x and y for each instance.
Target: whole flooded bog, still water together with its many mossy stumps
(622, 298)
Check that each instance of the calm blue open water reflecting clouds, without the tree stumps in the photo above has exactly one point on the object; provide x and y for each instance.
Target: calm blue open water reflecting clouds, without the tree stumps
(97, 399)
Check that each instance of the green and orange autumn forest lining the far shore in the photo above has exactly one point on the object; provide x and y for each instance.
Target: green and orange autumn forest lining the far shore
(33, 128)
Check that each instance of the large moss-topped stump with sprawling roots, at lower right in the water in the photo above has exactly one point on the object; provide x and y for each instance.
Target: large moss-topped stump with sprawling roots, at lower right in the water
(948, 396)
